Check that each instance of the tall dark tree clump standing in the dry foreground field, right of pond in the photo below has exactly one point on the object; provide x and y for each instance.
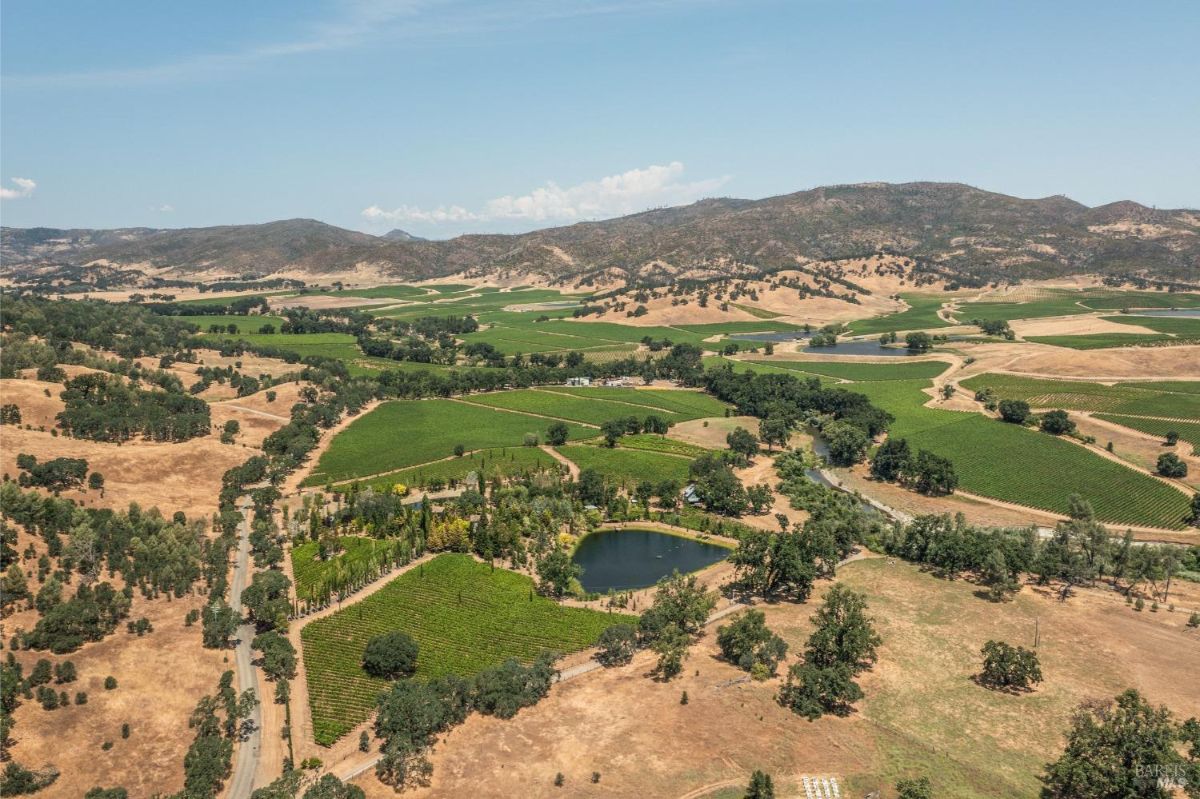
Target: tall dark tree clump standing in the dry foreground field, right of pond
(842, 646)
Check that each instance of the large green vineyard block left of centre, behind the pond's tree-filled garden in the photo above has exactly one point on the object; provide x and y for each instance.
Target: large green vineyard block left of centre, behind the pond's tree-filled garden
(387, 438)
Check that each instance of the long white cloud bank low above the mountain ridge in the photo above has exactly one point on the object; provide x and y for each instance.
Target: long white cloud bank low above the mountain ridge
(629, 193)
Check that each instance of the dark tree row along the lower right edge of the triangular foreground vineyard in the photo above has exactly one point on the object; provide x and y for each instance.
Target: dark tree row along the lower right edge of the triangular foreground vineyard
(413, 713)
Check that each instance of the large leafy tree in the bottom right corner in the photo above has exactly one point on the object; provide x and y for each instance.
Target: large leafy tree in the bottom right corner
(1119, 750)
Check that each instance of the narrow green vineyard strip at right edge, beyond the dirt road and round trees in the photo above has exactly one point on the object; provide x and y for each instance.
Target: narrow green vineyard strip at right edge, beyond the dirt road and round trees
(1079, 395)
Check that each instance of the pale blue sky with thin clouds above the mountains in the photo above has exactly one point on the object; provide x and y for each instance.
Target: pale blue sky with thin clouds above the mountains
(445, 117)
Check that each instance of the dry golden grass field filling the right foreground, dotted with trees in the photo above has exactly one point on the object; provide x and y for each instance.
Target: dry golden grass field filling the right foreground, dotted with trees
(922, 714)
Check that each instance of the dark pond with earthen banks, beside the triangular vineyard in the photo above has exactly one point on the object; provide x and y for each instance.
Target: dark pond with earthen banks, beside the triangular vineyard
(638, 558)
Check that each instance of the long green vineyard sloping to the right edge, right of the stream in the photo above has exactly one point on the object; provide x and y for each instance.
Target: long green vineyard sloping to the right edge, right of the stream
(1027, 467)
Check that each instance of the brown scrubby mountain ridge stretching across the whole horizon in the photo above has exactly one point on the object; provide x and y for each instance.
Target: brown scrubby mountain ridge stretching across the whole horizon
(952, 229)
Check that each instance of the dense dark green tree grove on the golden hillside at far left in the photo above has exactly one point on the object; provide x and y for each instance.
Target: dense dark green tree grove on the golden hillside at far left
(105, 408)
